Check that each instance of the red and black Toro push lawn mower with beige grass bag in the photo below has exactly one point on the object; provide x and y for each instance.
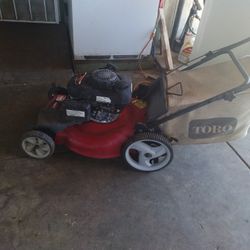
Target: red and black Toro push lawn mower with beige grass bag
(98, 115)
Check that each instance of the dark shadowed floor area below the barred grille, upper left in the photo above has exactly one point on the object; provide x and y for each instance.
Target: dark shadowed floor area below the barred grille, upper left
(34, 53)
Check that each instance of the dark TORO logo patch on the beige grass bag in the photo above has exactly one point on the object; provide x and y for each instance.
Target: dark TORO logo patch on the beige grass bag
(208, 128)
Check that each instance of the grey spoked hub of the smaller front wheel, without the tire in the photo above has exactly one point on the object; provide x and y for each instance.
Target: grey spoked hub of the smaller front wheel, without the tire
(36, 147)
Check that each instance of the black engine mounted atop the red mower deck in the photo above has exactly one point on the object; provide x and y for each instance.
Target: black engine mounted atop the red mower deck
(98, 96)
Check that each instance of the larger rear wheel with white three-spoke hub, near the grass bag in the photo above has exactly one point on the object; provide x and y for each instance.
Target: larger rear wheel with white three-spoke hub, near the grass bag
(147, 152)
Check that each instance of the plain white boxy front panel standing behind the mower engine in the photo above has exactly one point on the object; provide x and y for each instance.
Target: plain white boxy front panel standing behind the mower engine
(112, 27)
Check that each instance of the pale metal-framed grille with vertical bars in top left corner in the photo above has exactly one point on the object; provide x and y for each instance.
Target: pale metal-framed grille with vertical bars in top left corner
(42, 11)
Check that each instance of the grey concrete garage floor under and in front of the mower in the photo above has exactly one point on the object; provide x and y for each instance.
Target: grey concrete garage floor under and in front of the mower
(201, 201)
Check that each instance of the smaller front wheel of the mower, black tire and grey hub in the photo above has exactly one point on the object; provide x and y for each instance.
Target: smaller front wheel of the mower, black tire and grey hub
(37, 144)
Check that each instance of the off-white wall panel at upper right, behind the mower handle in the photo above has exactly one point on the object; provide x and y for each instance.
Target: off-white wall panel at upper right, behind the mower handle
(223, 22)
